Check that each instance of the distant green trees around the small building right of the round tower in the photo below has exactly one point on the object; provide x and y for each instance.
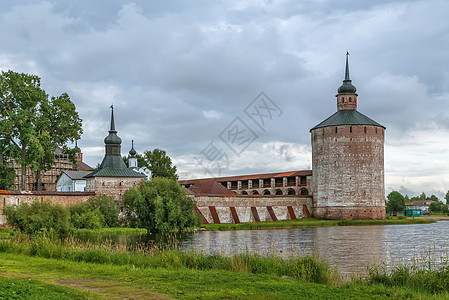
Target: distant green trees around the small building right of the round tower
(396, 202)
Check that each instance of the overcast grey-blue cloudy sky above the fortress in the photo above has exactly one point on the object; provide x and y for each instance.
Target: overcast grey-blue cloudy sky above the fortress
(181, 74)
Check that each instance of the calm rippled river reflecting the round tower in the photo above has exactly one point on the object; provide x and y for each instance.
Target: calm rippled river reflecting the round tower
(351, 248)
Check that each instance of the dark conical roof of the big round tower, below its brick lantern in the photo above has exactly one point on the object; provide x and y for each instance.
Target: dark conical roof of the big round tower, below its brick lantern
(347, 117)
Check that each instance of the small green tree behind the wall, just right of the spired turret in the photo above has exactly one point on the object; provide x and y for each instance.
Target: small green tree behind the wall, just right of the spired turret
(160, 164)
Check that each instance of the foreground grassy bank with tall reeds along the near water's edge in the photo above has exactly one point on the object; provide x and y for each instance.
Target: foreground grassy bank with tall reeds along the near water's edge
(80, 270)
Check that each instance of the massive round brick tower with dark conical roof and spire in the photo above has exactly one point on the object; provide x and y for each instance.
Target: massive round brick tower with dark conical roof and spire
(348, 161)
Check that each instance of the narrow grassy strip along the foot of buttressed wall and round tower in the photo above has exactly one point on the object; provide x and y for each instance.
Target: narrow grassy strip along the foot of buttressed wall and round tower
(312, 222)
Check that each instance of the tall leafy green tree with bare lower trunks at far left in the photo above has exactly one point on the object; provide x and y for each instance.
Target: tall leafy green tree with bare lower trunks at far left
(34, 125)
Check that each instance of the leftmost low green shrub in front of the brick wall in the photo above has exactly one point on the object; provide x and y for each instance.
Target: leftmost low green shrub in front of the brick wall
(37, 217)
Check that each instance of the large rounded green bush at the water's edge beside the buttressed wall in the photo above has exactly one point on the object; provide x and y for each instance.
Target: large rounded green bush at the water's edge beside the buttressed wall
(159, 205)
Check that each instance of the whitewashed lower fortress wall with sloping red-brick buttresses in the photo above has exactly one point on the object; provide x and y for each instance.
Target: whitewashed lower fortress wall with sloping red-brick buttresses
(243, 207)
